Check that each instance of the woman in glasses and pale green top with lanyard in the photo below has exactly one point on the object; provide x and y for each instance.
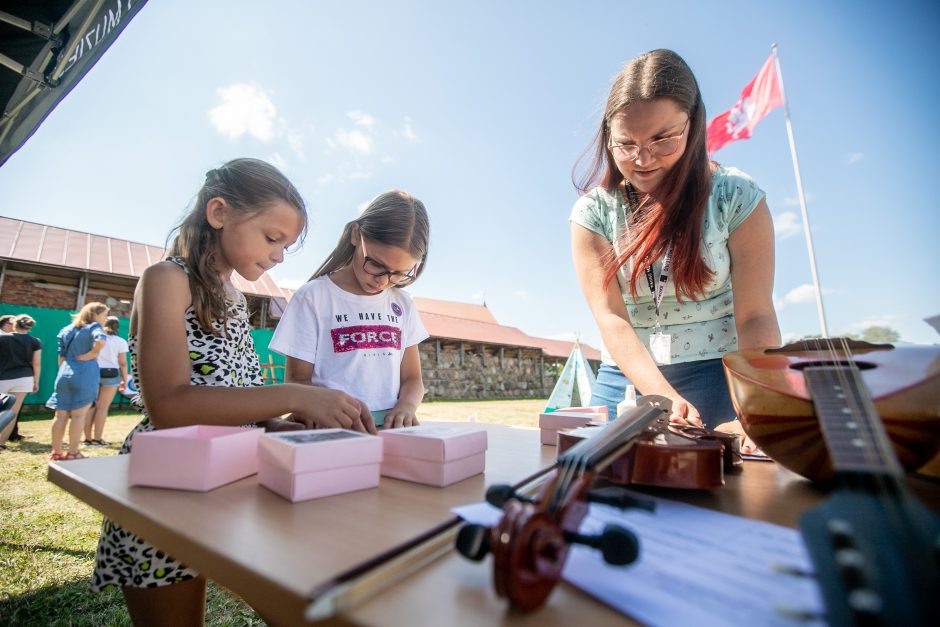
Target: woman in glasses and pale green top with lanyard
(689, 242)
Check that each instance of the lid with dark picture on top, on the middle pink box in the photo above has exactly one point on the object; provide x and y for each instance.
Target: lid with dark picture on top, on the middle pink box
(319, 449)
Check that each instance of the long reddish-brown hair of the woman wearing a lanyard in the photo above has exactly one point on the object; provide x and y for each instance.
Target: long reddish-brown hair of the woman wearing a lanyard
(674, 210)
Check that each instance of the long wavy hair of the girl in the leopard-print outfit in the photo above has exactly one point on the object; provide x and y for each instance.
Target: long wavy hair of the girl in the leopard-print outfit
(248, 186)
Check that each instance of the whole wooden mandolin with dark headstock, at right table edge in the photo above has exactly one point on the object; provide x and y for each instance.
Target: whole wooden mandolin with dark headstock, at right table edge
(875, 548)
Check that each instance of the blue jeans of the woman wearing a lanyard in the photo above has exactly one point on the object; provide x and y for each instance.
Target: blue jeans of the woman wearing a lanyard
(702, 383)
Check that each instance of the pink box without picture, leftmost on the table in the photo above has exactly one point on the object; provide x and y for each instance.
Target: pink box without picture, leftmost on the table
(199, 458)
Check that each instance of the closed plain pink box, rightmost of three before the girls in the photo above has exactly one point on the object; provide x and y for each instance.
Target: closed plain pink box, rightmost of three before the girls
(437, 455)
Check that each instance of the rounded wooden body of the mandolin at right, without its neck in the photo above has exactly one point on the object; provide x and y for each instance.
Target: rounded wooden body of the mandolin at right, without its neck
(773, 403)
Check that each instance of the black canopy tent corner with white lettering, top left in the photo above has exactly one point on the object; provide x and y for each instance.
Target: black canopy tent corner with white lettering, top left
(46, 47)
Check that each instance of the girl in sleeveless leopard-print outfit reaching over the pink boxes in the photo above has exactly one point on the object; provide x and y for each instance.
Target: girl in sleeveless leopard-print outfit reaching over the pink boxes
(194, 362)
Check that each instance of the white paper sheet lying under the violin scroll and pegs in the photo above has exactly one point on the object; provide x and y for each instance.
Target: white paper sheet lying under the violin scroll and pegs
(696, 567)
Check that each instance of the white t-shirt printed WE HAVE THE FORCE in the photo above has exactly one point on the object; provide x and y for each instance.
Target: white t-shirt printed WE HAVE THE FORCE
(355, 343)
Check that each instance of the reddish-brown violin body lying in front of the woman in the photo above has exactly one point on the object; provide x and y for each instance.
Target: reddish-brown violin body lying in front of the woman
(668, 457)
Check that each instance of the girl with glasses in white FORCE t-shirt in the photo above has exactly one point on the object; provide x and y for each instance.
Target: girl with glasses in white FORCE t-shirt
(350, 327)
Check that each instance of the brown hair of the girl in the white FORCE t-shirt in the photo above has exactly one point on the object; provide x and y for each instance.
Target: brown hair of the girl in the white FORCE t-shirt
(395, 218)
